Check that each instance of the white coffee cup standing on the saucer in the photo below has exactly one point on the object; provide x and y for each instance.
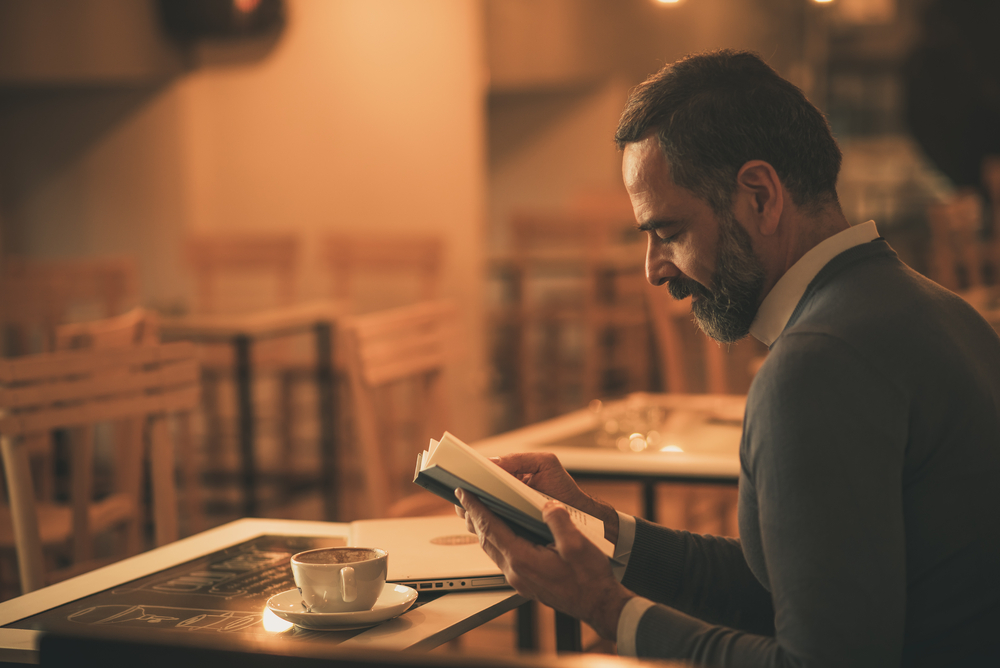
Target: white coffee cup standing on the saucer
(340, 579)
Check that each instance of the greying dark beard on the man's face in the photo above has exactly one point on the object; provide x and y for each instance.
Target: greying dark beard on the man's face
(725, 311)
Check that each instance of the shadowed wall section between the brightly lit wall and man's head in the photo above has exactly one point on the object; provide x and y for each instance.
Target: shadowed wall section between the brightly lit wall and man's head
(555, 101)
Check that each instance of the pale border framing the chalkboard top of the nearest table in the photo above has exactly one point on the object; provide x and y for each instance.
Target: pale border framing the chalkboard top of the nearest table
(424, 627)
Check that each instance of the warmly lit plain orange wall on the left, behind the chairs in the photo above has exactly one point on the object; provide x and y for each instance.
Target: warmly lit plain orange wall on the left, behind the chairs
(366, 114)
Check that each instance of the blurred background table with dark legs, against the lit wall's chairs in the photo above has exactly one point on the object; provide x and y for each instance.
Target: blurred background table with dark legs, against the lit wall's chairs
(241, 332)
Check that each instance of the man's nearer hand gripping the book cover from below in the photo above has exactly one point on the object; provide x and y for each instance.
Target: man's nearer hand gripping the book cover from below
(572, 575)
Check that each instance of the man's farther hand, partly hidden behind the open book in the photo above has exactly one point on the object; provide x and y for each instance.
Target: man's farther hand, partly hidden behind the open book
(542, 471)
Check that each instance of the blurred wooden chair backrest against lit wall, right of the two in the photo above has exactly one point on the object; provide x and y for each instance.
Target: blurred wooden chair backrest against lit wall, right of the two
(409, 264)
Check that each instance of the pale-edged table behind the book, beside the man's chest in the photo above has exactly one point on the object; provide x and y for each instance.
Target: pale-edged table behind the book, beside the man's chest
(698, 440)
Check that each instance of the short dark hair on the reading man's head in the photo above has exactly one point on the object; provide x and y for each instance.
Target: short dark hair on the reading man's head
(715, 111)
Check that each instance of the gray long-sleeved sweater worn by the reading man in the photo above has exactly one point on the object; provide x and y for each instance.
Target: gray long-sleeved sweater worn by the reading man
(869, 511)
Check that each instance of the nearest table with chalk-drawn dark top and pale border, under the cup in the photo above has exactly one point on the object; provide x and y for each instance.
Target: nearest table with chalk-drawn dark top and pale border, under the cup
(424, 627)
